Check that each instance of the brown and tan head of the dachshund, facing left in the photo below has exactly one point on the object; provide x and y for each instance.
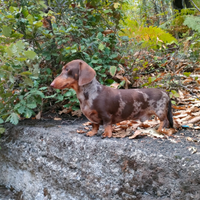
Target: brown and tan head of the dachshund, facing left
(74, 74)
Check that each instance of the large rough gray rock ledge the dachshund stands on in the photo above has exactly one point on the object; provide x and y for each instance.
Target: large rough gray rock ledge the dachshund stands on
(54, 162)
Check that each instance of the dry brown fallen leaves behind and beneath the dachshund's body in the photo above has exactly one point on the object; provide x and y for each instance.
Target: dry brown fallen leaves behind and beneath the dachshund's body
(180, 77)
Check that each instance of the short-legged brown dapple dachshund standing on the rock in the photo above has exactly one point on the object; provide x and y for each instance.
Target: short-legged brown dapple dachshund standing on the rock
(106, 105)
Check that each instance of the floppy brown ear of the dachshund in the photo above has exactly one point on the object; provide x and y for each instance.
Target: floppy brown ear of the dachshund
(86, 74)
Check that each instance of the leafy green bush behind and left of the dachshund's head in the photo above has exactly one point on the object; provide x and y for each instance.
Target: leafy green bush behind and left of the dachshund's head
(37, 39)
